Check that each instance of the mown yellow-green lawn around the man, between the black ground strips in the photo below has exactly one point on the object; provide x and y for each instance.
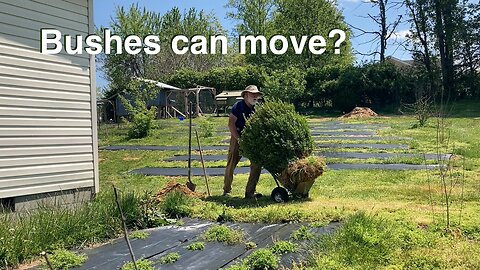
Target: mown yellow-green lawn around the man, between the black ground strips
(404, 199)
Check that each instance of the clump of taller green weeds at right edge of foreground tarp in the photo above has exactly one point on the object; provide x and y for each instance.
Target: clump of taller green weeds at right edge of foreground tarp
(368, 242)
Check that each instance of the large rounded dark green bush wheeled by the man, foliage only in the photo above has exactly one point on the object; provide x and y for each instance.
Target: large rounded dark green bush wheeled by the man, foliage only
(276, 135)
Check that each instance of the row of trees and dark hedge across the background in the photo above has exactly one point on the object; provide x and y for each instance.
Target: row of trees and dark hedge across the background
(444, 42)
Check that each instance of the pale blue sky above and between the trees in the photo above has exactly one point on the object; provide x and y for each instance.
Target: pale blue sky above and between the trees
(355, 13)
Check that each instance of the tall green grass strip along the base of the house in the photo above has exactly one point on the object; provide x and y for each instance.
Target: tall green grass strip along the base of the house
(24, 235)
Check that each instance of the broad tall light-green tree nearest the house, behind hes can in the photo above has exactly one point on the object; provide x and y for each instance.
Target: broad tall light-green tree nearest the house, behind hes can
(119, 69)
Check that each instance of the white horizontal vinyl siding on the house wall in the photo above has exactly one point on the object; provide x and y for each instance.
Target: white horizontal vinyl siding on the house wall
(47, 102)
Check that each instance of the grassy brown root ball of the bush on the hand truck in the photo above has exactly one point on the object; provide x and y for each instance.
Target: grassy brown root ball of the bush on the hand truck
(300, 175)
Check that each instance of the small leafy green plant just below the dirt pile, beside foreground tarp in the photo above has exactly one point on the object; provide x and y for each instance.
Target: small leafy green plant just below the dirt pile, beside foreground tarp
(176, 205)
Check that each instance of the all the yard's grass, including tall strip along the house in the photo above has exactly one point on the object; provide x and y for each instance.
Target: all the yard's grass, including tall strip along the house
(392, 219)
